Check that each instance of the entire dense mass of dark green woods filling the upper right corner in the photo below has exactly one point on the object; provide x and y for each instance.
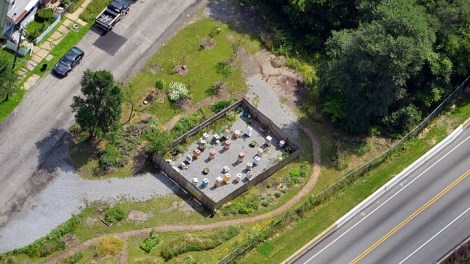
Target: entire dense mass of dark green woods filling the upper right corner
(383, 63)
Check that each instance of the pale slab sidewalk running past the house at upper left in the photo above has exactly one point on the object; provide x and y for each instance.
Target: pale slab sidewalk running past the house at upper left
(42, 52)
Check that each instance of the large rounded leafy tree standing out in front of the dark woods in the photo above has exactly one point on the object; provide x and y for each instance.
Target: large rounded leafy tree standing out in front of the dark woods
(365, 75)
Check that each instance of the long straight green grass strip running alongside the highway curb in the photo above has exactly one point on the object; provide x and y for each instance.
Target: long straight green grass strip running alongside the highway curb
(315, 221)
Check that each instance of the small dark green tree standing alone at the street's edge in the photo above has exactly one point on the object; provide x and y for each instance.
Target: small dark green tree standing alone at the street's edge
(100, 110)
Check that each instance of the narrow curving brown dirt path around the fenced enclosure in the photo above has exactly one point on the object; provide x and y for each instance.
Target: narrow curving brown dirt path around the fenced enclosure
(172, 228)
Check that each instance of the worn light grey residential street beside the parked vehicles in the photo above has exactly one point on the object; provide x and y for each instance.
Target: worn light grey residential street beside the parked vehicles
(32, 132)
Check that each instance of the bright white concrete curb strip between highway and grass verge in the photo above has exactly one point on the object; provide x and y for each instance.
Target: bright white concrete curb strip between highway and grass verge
(401, 176)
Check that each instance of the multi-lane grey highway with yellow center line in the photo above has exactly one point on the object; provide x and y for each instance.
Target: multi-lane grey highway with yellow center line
(416, 222)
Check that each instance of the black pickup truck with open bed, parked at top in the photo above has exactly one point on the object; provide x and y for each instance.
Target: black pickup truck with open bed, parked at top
(112, 14)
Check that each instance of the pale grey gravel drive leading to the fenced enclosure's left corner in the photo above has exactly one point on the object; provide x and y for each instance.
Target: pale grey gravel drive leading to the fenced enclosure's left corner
(67, 194)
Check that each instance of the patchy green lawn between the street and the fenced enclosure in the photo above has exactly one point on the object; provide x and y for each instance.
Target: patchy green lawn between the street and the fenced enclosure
(184, 49)
